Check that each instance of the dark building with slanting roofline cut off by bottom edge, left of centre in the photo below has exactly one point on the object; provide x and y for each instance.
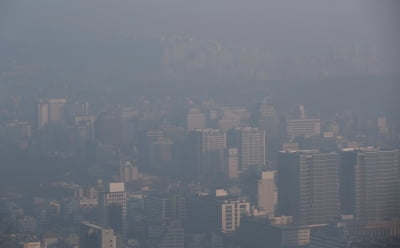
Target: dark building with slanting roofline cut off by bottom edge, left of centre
(94, 236)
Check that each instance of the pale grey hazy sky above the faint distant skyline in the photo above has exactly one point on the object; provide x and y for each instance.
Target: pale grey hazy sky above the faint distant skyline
(238, 22)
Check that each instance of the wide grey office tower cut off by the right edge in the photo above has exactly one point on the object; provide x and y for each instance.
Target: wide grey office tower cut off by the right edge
(377, 185)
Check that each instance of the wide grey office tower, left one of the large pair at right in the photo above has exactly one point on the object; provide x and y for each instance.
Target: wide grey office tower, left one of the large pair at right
(308, 186)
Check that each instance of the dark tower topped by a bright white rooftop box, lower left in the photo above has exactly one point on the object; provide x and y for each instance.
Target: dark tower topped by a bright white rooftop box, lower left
(112, 207)
